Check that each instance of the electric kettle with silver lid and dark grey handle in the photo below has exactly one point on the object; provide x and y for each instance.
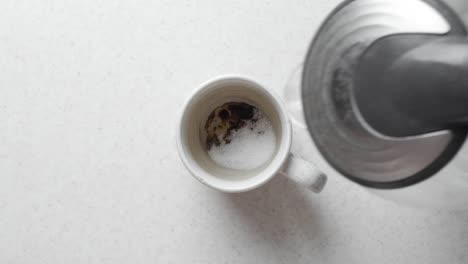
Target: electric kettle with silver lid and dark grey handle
(385, 98)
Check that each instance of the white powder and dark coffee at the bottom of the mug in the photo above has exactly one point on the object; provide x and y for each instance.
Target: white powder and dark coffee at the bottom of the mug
(240, 136)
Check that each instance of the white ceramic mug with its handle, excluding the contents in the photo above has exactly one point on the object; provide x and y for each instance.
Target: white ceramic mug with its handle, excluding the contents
(192, 148)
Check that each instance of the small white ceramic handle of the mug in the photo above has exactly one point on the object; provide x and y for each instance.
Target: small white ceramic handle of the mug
(304, 173)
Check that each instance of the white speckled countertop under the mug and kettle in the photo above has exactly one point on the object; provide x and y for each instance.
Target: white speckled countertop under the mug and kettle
(89, 95)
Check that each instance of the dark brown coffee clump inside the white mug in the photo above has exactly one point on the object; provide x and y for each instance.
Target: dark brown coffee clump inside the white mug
(226, 119)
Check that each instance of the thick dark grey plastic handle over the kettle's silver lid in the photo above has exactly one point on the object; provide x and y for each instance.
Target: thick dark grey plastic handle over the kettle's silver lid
(409, 85)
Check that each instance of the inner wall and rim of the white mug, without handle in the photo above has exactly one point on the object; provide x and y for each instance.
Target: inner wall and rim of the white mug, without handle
(194, 135)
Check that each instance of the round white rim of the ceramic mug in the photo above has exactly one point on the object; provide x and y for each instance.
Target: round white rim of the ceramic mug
(279, 159)
